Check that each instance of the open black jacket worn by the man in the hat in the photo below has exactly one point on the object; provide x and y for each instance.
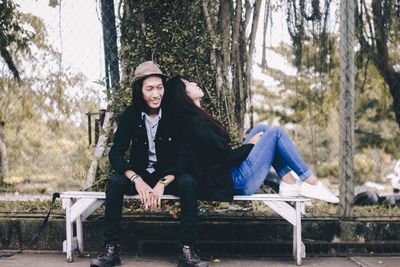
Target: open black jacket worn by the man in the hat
(131, 135)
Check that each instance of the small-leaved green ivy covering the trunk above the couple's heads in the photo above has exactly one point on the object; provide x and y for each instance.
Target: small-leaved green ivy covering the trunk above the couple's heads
(176, 38)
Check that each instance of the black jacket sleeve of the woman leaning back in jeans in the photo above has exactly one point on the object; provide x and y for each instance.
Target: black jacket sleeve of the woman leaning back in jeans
(215, 144)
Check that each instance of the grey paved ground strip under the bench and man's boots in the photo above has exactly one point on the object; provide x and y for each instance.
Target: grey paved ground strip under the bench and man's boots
(58, 260)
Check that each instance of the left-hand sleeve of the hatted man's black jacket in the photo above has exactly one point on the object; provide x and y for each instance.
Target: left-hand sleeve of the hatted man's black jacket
(121, 143)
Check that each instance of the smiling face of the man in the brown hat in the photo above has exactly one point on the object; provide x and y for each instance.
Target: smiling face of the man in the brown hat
(153, 92)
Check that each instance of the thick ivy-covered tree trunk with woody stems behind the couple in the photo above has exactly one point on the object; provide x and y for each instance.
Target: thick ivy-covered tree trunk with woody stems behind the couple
(203, 40)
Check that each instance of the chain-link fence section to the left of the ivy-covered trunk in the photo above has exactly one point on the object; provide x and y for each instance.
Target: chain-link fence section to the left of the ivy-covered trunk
(46, 116)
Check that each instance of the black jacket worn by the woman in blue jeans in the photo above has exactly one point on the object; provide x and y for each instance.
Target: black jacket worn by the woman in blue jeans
(206, 153)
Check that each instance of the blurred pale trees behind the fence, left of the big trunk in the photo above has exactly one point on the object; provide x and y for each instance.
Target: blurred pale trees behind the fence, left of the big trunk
(42, 108)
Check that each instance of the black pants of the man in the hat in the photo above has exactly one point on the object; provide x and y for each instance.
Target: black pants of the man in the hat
(185, 186)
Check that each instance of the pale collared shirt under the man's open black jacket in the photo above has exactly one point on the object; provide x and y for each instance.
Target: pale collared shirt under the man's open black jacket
(151, 128)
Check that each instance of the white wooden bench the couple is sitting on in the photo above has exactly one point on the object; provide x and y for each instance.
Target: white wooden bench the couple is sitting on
(79, 205)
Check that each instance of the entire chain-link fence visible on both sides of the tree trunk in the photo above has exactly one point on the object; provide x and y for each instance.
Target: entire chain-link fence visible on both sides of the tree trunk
(53, 116)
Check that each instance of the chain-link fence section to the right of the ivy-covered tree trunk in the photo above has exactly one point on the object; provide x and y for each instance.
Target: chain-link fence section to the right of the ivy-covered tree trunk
(340, 109)
